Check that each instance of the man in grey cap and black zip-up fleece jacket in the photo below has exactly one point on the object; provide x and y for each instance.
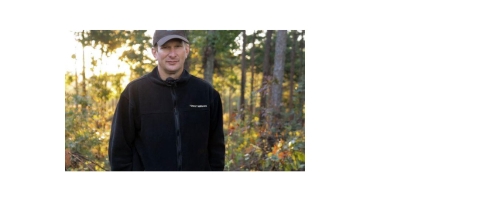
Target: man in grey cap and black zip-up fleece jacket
(168, 120)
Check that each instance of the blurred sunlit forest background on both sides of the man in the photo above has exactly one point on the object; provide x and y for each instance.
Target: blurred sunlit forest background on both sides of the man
(260, 75)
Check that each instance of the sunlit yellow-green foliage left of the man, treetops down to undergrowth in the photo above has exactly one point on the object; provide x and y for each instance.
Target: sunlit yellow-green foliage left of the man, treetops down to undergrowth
(88, 118)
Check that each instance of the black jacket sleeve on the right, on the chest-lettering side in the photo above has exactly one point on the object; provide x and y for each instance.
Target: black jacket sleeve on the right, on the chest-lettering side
(216, 142)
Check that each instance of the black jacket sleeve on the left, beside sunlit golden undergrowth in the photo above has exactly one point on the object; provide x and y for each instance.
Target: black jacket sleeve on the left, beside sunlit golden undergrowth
(122, 135)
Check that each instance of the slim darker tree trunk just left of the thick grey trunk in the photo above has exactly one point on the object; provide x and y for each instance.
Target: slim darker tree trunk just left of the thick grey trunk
(266, 74)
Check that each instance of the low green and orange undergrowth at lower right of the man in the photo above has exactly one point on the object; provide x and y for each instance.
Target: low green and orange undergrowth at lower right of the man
(249, 147)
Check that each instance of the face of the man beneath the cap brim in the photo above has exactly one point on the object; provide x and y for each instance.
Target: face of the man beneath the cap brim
(171, 56)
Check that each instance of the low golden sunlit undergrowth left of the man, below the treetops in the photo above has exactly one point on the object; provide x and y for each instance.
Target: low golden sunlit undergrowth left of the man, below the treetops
(87, 124)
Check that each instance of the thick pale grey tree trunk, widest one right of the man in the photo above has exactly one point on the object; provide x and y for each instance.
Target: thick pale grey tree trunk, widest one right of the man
(278, 73)
